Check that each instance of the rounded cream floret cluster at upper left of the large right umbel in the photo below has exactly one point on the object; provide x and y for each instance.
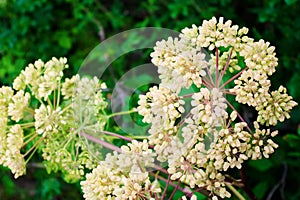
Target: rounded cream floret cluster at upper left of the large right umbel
(179, 65)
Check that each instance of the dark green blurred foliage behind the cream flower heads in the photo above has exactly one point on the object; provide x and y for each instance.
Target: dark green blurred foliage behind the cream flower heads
(41, 29)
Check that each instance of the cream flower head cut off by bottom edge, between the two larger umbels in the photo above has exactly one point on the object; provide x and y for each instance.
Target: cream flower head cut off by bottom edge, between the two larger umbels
(122, 176)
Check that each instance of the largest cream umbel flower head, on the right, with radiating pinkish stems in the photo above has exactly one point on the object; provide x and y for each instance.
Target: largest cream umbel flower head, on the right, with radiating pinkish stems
(208, 141)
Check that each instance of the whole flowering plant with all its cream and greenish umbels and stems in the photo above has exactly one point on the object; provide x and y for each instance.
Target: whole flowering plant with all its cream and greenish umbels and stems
(194, 139)
